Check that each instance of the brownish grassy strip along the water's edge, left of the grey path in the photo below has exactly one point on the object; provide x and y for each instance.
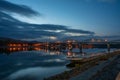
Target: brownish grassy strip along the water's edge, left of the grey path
(82, 65)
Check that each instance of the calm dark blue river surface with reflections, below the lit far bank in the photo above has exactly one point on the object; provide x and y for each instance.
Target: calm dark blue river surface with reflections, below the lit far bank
(36, 65)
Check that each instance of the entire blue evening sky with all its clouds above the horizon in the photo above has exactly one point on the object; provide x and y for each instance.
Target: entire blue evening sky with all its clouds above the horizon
(60, 19)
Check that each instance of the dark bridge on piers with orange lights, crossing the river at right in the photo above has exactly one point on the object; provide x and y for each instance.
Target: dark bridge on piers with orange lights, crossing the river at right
(80, 45)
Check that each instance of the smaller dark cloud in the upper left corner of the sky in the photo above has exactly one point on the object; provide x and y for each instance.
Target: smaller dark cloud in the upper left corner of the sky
(15, 8)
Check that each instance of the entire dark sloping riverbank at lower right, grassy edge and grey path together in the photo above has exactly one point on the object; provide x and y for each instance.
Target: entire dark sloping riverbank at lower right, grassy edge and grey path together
(102, 67)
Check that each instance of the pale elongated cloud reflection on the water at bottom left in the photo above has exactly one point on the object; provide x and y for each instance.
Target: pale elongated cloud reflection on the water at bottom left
(35, 73)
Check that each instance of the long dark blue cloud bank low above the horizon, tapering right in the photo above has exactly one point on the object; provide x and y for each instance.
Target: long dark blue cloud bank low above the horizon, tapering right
(13, 28)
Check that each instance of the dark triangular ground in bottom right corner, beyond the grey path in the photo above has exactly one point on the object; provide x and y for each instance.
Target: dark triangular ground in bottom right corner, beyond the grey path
(109, 72)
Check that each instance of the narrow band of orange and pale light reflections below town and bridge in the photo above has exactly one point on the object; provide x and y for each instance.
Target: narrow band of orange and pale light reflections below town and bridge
(68, 53)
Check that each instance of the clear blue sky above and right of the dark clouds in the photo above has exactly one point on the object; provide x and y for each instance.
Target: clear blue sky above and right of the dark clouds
(99, 16)
